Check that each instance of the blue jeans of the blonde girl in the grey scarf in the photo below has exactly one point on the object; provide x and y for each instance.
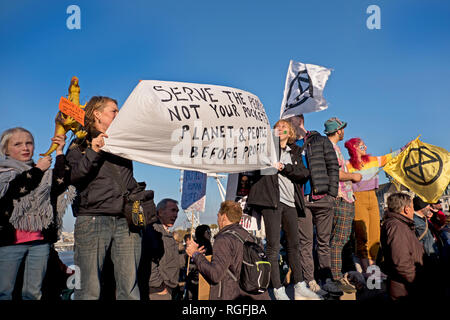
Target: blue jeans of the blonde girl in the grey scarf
(36, 257)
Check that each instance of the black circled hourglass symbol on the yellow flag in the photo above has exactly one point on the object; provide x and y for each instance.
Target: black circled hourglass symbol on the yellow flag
(422, 166)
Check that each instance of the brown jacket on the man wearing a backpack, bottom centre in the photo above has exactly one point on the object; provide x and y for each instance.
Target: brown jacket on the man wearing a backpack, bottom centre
(227, 255)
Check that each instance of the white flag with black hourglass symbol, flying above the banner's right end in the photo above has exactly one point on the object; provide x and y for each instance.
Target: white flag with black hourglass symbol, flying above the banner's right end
(303, 90)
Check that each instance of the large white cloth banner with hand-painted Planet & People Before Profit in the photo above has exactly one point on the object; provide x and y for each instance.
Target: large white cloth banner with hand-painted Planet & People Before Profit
(189, 126)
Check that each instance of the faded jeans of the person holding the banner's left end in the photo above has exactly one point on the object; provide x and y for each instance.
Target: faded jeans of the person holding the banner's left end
(94, 235)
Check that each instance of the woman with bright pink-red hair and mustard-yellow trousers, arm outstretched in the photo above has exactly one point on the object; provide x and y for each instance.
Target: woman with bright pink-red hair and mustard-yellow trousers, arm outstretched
(367, 213)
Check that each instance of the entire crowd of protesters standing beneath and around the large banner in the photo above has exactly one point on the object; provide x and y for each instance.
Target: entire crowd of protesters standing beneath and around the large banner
(315, 203)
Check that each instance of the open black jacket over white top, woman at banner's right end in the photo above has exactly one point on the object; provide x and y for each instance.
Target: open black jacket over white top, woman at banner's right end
(265, 191)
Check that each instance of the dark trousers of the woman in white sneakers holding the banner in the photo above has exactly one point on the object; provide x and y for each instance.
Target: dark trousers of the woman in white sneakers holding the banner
(286, 217)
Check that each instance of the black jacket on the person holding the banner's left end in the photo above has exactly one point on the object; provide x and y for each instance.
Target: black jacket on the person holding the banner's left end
(98, 192)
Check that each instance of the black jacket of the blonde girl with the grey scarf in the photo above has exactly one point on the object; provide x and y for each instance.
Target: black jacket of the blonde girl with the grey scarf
(30, 180)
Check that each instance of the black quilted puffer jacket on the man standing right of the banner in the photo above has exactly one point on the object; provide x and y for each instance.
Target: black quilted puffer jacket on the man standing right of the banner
(323, 164)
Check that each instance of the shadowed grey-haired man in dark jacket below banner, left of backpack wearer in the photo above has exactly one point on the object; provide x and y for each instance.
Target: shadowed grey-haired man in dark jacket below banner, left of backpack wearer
(159, 245)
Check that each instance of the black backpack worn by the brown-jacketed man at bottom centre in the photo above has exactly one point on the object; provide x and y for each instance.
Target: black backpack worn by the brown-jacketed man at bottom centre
(255, 270)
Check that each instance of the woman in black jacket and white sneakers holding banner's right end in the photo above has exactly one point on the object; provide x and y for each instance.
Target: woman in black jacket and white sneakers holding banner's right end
(278, 198)
